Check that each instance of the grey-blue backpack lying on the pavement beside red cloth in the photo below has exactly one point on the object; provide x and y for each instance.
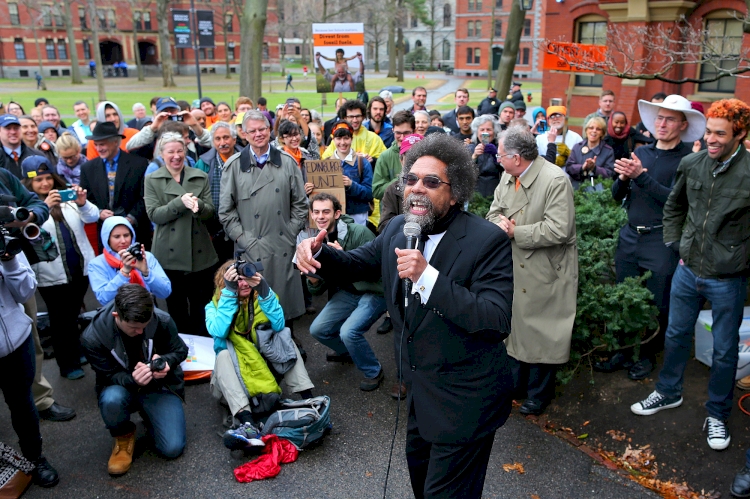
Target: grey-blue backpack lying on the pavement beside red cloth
(302, 422)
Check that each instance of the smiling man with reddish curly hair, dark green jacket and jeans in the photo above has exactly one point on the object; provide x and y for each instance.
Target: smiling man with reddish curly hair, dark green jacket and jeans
(707, 223)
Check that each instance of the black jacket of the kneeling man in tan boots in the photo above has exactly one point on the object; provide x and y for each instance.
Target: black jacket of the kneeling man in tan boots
(106, 352)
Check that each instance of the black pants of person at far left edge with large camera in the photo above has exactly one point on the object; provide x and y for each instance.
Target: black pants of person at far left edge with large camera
(16, 376)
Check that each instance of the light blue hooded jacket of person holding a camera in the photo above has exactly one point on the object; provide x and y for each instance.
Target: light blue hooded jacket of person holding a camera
(106, 280)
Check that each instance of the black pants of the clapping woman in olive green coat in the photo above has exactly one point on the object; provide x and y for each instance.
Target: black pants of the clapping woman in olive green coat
(191, 292)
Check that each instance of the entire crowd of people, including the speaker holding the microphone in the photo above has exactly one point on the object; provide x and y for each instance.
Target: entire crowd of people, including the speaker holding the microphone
(207, 206)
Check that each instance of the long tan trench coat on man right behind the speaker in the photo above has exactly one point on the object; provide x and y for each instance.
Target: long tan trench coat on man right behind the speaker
(545, 262)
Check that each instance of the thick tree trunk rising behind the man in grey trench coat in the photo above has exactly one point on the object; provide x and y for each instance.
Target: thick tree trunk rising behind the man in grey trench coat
(253, 25)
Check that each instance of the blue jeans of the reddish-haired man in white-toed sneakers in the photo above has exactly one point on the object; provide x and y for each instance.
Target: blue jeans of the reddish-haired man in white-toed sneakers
(689, 293)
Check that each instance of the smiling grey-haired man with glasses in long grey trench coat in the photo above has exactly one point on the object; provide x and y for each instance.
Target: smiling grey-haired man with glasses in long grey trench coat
(263, 206)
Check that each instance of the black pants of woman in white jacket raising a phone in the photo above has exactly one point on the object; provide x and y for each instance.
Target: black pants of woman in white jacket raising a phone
(63, 306)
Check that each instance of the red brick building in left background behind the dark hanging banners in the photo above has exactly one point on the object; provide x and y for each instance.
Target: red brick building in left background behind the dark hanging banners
(18, 48)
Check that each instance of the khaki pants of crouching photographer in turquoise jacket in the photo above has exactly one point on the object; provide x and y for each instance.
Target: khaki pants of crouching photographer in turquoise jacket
(224, 381)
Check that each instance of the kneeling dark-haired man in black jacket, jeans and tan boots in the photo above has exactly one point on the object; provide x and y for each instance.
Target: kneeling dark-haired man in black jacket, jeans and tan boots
(135, 351)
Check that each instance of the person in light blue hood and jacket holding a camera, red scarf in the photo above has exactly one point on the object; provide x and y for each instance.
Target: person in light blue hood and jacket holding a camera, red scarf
(124, 262)
